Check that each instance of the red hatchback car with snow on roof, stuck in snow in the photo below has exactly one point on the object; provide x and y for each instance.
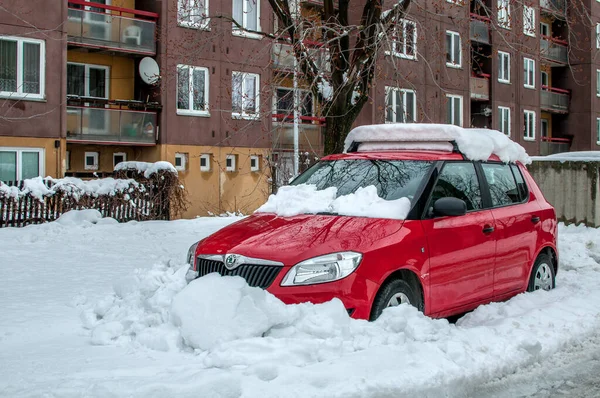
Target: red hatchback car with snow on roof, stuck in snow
(437, 216)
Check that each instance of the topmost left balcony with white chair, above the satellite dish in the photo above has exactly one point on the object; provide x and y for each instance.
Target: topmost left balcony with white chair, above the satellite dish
(111, 28)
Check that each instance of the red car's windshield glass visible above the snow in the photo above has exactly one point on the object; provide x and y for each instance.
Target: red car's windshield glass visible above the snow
(394, 179)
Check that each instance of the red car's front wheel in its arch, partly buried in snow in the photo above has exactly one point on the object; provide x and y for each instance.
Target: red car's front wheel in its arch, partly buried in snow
(398, 291)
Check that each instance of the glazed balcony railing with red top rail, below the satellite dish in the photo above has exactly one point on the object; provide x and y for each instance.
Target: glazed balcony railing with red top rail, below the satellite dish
(105, 125)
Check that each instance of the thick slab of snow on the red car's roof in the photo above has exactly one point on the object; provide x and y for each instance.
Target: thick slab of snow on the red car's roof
(475, 144)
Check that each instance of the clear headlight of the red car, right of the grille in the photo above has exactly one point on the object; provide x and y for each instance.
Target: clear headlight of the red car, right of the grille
(327, 268)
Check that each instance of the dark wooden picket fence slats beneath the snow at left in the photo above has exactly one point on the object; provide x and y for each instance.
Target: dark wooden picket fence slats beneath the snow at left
(140, 202)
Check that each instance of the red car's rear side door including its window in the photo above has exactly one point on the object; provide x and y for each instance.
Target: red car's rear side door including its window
(517, 226)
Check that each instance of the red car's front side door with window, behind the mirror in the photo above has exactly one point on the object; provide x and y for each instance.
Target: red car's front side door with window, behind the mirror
(462, 248)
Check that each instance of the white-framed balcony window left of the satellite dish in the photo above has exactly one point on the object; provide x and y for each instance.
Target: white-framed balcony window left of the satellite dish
(87, 80)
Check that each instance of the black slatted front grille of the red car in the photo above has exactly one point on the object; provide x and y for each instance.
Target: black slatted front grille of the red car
(255, 275)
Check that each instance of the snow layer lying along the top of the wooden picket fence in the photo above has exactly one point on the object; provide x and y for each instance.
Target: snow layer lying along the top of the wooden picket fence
(74, 187)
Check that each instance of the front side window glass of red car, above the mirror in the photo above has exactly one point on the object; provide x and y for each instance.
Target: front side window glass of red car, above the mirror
(458, 180)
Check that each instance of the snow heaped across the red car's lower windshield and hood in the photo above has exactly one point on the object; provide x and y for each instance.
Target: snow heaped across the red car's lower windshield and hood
(306, 199)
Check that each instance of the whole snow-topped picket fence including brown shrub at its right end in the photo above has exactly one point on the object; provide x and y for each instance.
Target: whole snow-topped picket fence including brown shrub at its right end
(134, 196)
